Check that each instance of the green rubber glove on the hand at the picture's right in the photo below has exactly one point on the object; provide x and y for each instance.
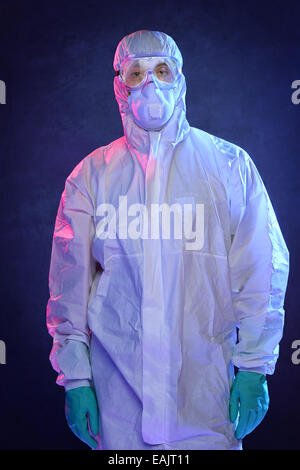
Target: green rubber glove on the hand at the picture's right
(249, 396)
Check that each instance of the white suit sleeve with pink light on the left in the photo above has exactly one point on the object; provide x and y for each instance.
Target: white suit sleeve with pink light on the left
(72, 269)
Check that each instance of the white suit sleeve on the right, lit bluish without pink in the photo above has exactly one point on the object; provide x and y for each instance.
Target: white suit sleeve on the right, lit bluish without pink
(259, 266)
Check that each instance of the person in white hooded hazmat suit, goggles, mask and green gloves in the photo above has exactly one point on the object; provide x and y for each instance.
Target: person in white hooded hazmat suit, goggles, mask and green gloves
(168, 269)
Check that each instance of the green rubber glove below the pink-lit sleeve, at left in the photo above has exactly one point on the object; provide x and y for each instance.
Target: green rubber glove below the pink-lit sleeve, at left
(82, 414)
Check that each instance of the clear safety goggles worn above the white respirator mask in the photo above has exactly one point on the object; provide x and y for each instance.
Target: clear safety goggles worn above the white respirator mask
(135, 70)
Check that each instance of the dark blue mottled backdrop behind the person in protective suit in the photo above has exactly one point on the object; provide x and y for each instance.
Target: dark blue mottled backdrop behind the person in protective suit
(240, 59)
